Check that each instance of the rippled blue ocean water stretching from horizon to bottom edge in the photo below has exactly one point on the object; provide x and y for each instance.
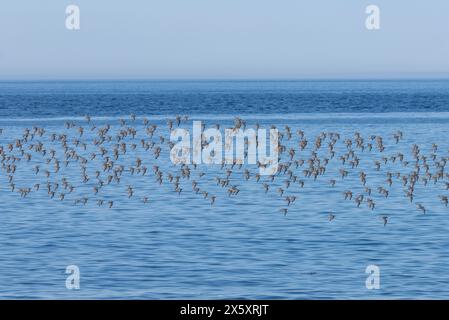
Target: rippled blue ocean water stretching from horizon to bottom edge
(179, 245)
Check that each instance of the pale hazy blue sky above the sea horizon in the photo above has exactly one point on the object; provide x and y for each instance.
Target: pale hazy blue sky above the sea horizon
(223, 39)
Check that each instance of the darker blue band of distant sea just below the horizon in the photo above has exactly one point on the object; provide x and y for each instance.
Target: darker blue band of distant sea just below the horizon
(117, 98)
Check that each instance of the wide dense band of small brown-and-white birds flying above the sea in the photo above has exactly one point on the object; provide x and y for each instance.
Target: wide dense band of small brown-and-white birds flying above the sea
(86, 162)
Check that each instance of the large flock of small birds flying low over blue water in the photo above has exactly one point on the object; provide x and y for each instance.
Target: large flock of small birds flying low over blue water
(134, 147)
